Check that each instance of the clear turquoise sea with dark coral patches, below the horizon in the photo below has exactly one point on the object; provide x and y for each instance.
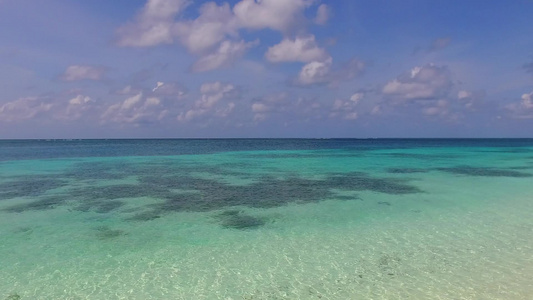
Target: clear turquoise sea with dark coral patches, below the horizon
(266, 219)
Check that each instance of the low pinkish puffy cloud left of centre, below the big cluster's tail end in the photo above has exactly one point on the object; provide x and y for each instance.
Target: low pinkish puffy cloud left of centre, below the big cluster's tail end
(211, 102)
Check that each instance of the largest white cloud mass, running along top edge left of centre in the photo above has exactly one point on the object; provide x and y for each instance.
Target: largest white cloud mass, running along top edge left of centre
(214, 35)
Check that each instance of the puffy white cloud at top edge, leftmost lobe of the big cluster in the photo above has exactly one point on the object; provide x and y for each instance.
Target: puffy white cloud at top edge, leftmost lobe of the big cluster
(153, 26)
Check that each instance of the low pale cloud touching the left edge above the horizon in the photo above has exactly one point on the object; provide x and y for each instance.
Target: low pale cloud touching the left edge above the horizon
(24, 109)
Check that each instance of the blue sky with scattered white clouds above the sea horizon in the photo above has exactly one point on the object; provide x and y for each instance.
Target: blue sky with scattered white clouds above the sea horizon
(265, 68)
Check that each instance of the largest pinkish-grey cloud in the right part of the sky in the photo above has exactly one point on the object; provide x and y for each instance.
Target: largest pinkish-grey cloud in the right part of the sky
(428, 82)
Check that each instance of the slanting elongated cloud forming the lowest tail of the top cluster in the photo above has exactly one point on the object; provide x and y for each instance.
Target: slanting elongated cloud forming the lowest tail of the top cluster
(226, 54)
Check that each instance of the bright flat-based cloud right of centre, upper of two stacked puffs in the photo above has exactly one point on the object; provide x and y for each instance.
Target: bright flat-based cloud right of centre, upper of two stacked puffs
(302, 49)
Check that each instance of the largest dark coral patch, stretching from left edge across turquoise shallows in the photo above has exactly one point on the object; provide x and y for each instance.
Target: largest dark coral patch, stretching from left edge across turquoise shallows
(179, 189)
